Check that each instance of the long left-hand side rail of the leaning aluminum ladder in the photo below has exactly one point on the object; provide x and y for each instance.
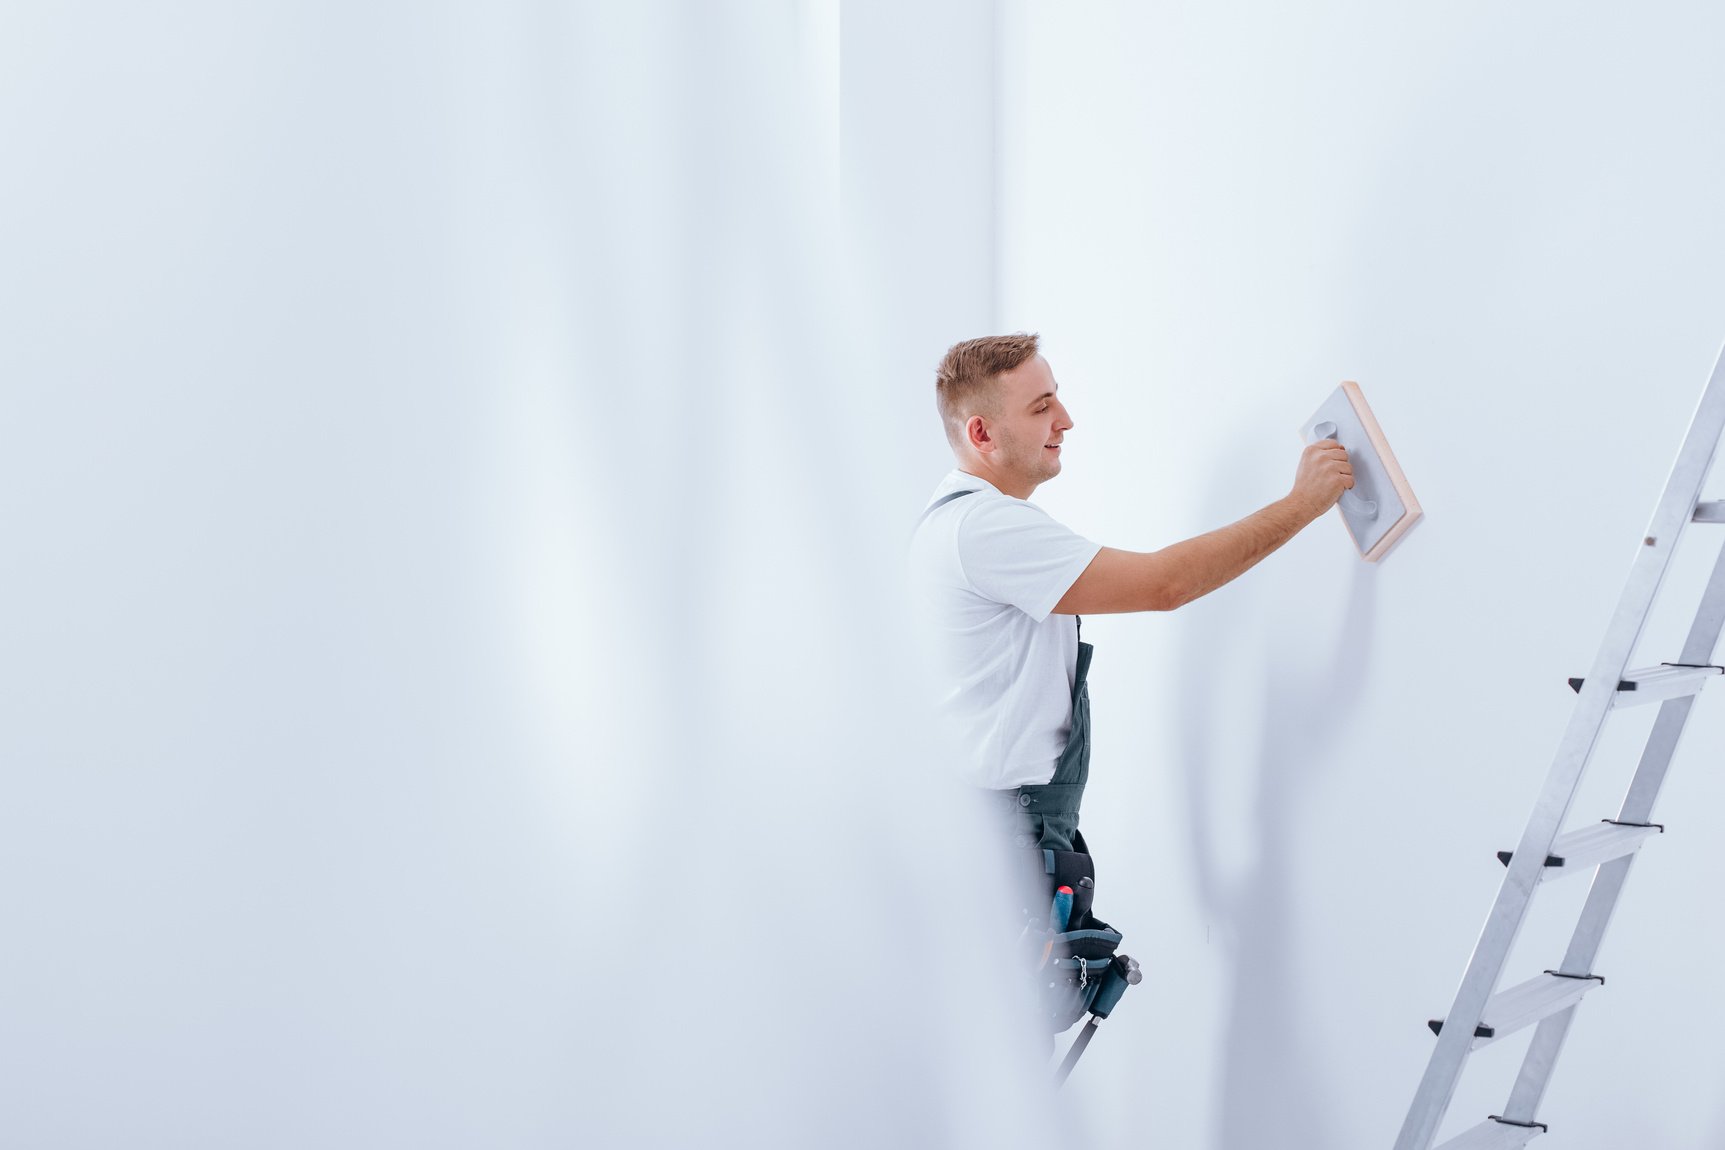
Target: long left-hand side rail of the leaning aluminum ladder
(1503, 925)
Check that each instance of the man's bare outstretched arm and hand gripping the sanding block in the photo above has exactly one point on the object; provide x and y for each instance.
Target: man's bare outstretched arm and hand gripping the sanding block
(1174, 577)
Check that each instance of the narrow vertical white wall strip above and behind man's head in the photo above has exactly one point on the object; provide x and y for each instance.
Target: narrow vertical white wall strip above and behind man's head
(922, 204)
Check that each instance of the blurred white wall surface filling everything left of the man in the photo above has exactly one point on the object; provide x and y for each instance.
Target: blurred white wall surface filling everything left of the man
(453, 691)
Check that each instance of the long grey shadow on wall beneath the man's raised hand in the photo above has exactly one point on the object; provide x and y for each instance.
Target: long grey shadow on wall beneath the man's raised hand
(1267, 1087)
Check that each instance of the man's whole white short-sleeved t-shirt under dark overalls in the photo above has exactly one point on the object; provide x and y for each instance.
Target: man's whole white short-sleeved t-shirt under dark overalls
(991, 568)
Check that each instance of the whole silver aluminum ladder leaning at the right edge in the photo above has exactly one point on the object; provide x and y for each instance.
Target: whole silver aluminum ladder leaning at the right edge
(1484, 1015)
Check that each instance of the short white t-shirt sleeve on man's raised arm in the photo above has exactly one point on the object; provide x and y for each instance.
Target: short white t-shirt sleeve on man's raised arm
(1015, 553)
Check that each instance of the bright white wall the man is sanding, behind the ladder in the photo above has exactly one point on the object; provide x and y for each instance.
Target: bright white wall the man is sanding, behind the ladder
(1503, 222)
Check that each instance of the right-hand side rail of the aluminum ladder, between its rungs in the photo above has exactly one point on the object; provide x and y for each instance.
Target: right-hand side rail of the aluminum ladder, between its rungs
(1609, 882)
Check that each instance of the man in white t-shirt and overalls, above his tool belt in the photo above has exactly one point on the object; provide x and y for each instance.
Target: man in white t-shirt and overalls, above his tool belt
(1003, 578)
